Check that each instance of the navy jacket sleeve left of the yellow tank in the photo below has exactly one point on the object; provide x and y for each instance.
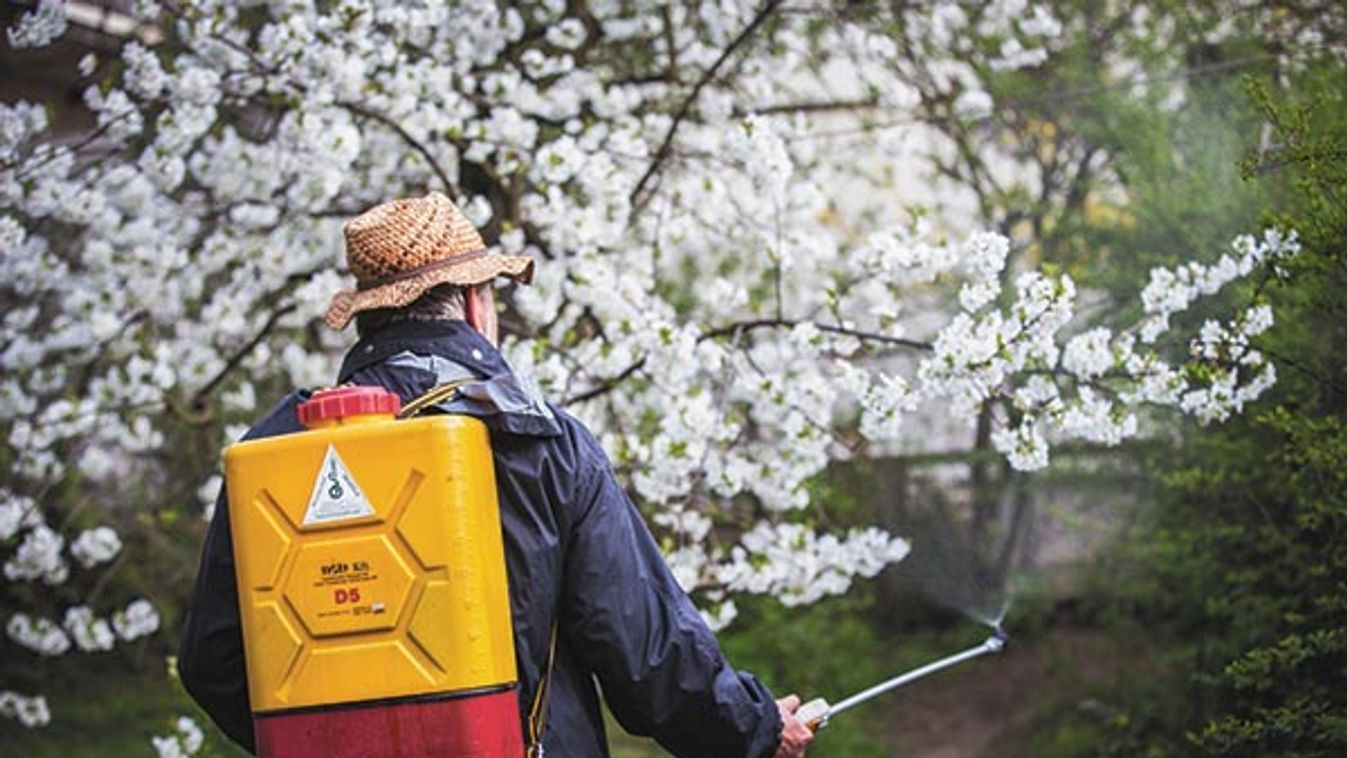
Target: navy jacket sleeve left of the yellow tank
(211, 658)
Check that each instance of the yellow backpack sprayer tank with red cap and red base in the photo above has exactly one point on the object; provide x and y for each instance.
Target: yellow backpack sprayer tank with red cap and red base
(372, 585)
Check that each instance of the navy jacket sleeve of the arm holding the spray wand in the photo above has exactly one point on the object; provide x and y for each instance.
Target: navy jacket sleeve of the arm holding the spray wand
(659, 666)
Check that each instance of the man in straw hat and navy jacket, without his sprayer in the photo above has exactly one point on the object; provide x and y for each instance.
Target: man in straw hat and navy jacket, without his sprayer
(577, 551)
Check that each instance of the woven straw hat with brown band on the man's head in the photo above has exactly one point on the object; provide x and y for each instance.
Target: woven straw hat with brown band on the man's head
(402, 248)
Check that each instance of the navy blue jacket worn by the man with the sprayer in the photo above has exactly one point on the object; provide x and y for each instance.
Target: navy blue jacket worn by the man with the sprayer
(576, 550)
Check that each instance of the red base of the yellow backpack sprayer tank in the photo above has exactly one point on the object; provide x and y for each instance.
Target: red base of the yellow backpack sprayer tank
(475, 726)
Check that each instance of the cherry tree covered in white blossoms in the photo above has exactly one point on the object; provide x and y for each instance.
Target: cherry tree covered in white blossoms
(729, 291)
